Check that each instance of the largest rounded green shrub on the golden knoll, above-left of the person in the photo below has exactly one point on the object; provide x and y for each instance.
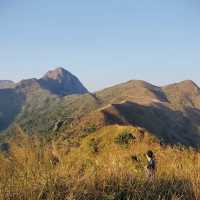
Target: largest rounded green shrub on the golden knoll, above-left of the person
(124, 138)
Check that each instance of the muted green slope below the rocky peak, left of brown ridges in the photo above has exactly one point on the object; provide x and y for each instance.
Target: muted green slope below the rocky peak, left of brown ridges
(43, 110)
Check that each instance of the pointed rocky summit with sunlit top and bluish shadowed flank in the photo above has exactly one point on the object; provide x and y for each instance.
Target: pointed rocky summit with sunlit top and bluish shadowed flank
(62, 82)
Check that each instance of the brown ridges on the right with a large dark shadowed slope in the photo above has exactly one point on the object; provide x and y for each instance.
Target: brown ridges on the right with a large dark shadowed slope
(171, 113)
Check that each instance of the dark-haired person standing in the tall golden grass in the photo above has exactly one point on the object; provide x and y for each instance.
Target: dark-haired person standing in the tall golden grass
(151, 165)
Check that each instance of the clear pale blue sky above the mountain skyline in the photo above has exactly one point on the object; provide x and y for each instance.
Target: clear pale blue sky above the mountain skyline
(103, 42)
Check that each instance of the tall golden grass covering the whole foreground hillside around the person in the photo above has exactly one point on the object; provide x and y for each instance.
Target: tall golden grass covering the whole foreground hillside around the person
(98, 169)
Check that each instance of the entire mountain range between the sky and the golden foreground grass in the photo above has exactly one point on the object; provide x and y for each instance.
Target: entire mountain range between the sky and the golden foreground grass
(172, 112)
